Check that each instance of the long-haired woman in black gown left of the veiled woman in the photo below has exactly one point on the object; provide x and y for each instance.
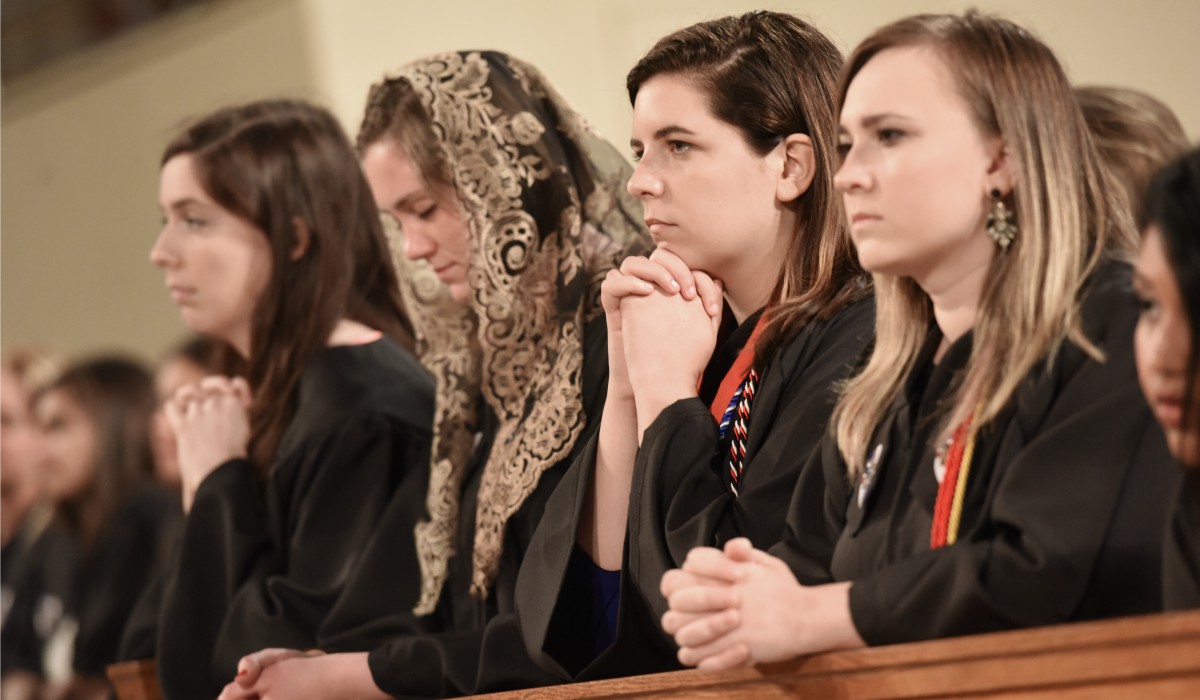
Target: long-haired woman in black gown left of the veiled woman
(272, 244)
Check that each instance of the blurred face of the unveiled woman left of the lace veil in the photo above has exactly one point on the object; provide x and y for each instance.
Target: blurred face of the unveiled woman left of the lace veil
(217, 265)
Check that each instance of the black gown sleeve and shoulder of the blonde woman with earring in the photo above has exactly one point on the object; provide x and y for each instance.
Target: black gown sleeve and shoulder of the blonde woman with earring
(1061, 475)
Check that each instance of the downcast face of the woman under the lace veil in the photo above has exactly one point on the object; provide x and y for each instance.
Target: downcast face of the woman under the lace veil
(433, 223)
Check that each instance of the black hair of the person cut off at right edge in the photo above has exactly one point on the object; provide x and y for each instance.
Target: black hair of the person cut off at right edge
(1173, 207)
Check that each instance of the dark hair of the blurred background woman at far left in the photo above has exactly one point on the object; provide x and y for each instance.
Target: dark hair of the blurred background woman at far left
(117, 394)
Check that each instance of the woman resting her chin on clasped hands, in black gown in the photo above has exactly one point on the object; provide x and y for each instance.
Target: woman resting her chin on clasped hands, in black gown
(705, 428)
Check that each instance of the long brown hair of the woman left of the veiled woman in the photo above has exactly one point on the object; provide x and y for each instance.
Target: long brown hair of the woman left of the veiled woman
(280, 165)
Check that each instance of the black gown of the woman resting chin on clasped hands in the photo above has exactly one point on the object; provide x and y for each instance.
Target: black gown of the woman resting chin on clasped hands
(681, 498)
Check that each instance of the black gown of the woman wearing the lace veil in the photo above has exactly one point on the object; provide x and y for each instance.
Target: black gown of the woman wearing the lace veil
(467, 645)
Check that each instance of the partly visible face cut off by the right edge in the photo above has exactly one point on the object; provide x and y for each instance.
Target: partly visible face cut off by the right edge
(1163, 345)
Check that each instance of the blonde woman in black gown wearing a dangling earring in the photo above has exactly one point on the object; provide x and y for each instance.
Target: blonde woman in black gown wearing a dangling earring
(995, 465)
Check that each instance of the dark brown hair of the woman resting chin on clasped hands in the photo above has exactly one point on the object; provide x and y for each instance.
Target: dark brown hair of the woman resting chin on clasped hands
(773, 75)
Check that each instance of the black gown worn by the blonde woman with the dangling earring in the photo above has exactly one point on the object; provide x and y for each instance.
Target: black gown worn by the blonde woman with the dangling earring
(1064, 508)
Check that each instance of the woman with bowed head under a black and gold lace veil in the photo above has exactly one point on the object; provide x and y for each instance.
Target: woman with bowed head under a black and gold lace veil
(505, 195)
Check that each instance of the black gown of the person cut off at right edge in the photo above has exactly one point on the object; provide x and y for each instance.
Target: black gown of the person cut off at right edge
(1181, 552)
